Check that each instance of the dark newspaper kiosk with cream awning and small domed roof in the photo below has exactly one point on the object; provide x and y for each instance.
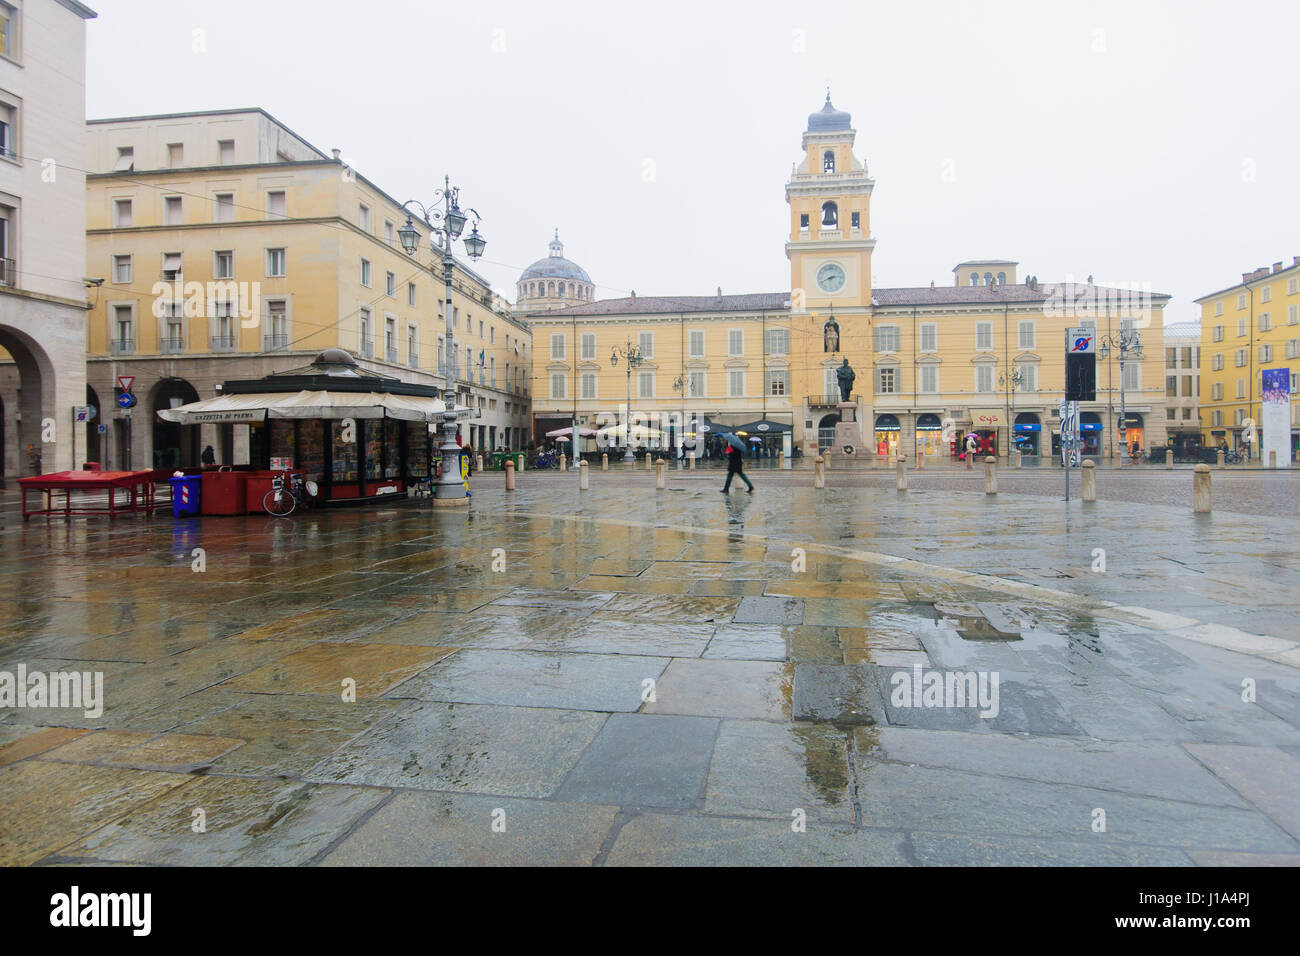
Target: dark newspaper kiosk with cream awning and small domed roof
(356, 434)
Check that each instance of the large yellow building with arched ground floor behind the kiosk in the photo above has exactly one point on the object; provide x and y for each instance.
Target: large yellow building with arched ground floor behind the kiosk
(231, 249)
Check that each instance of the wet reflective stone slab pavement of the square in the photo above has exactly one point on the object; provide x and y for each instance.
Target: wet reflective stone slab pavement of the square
(636, 677)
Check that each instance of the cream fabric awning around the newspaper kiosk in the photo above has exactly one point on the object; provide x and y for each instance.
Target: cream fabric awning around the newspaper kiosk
(311, 405)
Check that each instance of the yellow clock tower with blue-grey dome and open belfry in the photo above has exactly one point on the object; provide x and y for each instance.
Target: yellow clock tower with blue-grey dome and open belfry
(830, 250)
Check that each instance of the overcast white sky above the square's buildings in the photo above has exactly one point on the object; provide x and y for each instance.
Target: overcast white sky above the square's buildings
(1139, 142)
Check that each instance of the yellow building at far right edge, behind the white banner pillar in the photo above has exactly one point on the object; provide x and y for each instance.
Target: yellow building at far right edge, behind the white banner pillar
(1247, 328)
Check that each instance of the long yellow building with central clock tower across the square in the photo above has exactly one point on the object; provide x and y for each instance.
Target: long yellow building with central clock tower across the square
(933, 365)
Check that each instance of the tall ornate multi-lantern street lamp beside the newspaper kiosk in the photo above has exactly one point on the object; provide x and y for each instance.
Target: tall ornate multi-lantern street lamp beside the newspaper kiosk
(452, 222)
